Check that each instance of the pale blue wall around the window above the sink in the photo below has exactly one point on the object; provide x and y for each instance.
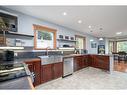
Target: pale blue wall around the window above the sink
(25, 23)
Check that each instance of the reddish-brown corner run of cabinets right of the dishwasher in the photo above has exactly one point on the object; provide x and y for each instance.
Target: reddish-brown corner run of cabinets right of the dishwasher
(96, 61)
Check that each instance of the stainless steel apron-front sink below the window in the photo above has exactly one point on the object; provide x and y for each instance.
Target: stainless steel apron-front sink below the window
(49, 59)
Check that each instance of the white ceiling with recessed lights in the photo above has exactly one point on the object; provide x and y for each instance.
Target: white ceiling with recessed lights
(105, 21)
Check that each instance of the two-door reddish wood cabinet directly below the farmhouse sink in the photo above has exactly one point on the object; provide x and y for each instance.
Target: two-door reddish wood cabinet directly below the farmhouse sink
(51, 71)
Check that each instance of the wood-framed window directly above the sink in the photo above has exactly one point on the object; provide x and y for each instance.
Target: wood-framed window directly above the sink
(44, 37)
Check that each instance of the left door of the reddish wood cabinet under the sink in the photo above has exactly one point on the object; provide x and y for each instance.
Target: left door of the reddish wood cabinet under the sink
(47, 73)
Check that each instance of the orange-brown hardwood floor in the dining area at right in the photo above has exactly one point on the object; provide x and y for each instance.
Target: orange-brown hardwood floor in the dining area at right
(120, 66)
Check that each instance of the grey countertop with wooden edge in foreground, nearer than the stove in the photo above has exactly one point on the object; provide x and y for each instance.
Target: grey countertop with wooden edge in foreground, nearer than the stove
(20, 83)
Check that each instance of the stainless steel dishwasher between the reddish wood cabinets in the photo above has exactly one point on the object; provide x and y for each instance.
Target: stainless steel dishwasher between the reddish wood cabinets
(68, 66)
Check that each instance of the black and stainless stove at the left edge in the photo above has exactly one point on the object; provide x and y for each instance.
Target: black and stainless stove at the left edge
(13, 71)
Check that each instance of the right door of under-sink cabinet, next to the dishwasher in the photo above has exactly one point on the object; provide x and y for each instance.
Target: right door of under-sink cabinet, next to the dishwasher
(57, 70)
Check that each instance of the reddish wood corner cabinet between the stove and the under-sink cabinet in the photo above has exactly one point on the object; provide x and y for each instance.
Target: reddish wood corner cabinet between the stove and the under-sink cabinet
(35, 68)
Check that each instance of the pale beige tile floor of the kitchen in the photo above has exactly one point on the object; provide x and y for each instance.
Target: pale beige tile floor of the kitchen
(88, 78)
